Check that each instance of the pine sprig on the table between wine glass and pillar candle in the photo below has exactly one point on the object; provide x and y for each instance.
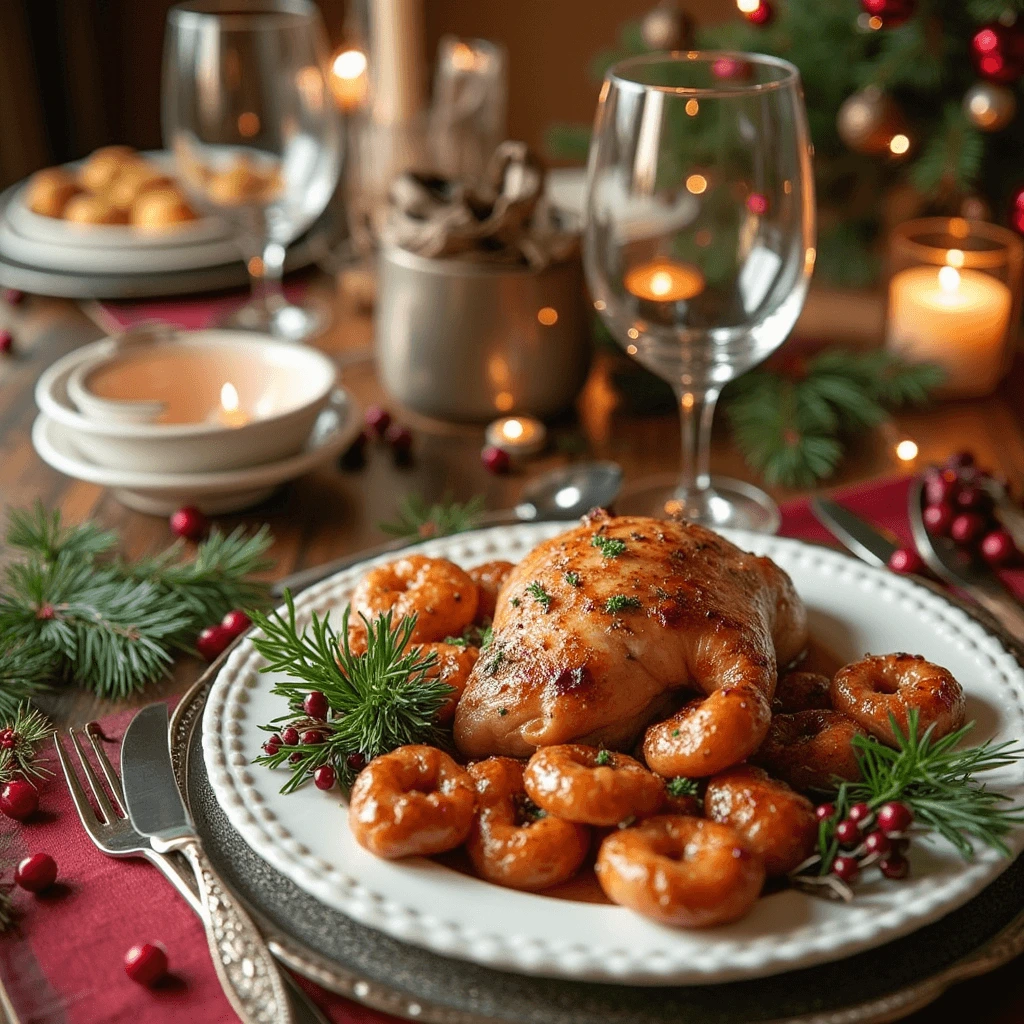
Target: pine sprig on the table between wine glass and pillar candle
(793, 425)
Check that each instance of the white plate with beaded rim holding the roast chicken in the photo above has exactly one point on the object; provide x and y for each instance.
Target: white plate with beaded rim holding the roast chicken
(854, 610)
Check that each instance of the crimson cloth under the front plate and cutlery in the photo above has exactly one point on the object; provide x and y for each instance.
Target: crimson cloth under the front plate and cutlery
(64, 964)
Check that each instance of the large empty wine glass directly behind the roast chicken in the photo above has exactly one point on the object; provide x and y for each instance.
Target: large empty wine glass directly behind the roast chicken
(700, 243)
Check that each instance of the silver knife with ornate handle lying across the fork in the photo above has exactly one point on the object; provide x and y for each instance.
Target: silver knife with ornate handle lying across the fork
(247, 971)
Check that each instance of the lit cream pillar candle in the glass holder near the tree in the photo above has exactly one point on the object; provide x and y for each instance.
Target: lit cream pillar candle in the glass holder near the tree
(955, 318)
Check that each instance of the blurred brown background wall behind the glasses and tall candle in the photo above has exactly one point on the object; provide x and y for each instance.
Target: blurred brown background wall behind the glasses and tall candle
(79, 74)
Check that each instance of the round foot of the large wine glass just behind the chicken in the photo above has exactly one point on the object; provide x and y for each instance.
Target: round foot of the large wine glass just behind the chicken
(730, 504)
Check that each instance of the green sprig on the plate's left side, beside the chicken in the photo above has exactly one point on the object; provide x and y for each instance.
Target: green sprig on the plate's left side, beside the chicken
(378, 701)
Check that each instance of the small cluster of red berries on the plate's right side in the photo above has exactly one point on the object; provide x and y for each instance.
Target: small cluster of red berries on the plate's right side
(868, 838)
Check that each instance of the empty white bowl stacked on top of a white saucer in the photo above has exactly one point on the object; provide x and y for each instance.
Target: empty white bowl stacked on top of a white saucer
(203, 447)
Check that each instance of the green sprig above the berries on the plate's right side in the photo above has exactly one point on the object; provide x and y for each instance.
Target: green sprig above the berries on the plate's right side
(937, 782)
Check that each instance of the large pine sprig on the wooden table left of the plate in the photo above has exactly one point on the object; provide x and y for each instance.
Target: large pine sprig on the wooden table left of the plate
(72, 612)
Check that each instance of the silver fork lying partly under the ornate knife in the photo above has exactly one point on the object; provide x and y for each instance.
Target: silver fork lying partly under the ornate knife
(113, 833)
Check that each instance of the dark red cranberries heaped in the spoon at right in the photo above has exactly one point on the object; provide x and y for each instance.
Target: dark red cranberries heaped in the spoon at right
(959, 506)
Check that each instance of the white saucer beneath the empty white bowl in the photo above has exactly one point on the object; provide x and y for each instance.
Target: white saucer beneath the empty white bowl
(162, 494)
